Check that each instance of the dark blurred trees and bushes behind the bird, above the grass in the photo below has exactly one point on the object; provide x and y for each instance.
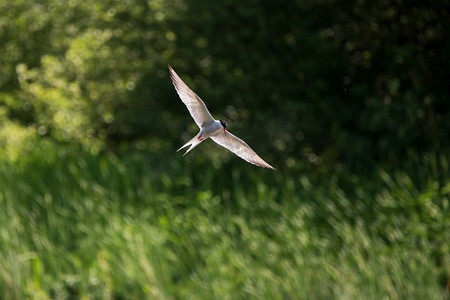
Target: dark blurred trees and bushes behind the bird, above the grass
(340, 81)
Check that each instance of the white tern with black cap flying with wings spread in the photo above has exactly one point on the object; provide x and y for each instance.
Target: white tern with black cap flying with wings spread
(211, 128)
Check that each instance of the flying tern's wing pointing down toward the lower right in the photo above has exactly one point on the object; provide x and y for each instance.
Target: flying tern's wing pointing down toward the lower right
(240, 148)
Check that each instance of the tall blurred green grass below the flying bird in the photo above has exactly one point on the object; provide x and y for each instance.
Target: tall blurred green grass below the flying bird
(80, 225)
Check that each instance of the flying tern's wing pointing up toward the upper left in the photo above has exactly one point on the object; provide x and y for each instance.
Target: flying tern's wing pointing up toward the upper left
(195, 105)
